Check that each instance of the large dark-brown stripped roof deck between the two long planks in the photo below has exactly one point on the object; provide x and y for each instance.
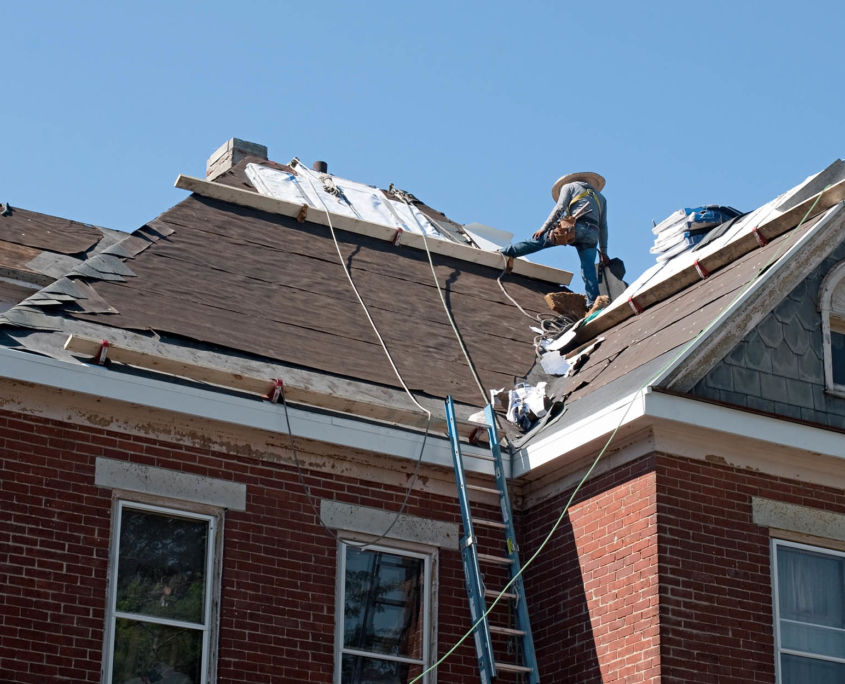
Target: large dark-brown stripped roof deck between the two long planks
(267, 285)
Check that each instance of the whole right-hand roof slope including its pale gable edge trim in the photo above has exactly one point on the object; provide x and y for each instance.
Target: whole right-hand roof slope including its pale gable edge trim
(654, 347)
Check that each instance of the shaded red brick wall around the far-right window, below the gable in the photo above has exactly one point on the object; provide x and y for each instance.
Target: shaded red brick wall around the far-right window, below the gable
(715, 576)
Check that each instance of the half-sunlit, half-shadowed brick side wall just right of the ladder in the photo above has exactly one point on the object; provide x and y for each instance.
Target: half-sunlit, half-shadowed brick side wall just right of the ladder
(593, 590)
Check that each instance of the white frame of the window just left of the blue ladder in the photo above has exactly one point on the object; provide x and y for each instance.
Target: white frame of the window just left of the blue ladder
(429, 556)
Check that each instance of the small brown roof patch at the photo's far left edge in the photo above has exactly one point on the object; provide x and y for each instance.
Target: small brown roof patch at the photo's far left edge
(40, 231)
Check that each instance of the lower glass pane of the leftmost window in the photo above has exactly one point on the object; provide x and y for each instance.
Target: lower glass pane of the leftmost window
(145, 653)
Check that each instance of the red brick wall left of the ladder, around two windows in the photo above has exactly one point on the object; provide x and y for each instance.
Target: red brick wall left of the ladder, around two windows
(279, 573)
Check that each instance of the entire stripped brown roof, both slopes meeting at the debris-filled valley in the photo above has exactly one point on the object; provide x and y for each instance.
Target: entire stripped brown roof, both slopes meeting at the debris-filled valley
(221, 280)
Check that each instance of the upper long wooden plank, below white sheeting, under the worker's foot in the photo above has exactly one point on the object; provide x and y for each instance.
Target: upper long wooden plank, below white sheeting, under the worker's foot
(254, 200)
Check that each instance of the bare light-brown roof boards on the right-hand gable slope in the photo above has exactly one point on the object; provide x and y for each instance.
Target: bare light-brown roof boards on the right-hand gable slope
(671, 323)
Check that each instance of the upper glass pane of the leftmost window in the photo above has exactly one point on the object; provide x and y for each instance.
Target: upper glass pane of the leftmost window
(161, 566)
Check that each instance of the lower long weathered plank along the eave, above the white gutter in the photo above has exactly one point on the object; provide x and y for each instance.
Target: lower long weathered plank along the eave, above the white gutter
(356, 404)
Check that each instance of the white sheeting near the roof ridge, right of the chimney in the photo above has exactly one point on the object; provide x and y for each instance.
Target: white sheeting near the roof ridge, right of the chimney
(357, 200)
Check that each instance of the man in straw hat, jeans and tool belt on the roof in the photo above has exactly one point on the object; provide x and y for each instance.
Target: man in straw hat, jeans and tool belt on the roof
(578, 219)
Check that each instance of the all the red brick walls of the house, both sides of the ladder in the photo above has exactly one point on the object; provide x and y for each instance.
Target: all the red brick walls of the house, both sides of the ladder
(593, 594)
